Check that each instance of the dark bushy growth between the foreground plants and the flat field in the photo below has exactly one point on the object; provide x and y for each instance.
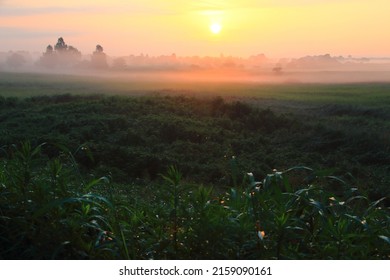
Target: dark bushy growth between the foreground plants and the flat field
(139, 137)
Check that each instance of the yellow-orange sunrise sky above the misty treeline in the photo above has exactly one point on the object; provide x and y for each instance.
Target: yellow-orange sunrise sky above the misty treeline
(277, 28)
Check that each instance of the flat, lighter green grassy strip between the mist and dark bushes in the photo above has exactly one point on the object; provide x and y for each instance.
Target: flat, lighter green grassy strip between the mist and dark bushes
(359, 94)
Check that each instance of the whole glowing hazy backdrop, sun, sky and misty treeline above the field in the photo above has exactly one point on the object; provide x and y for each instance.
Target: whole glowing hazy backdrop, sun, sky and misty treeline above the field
(245, 41)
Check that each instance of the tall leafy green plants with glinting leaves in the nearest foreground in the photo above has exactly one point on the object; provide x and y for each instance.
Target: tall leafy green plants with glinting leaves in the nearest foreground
(49, 212)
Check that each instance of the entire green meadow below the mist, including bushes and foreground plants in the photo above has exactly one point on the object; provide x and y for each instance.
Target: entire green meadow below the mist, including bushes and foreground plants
(127, 167)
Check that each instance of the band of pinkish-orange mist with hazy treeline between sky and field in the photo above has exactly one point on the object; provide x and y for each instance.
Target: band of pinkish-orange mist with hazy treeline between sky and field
(64, 59)
